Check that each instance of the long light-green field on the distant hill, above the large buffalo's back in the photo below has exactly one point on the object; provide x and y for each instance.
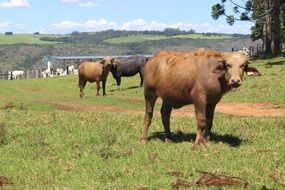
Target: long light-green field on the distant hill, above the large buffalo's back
(143, 38)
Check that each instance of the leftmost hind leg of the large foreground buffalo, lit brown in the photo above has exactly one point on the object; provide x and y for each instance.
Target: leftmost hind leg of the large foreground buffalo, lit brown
(150, 100)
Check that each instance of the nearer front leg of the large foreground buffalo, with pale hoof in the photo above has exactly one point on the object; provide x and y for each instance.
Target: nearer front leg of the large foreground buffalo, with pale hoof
(200, 112)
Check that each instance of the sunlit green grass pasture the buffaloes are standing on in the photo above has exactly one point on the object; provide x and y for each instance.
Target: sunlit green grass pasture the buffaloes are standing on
(51, 139)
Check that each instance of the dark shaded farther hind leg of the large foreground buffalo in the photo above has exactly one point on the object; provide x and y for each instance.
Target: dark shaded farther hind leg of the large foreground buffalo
(165, 116)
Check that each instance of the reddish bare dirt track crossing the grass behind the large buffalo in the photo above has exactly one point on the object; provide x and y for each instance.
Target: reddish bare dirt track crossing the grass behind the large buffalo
(238, 109)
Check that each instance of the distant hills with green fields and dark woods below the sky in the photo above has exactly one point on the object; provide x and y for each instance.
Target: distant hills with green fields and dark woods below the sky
(24, 51)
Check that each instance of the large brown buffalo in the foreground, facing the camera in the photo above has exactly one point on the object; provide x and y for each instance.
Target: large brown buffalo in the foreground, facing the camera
(200, 78)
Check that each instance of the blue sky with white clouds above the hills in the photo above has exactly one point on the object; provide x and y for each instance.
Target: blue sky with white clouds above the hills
(65, 16)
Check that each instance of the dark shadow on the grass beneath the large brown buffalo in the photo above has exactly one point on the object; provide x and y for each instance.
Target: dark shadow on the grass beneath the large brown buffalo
(231, 140)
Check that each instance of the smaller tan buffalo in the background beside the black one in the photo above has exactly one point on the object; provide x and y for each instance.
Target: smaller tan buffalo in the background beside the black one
(94, 72)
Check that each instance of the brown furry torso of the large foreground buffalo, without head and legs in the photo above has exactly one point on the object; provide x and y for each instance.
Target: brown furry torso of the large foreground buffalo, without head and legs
(176, 77)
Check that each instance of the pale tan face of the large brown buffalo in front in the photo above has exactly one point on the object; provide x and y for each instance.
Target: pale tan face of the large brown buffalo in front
(234, 65)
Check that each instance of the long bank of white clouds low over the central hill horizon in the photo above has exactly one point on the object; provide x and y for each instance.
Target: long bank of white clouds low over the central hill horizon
(141, 24)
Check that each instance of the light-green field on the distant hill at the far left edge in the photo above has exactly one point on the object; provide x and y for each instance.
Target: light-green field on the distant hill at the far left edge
(23, 38)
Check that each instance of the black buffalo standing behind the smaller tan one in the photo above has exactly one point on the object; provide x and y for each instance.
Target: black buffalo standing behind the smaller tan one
(130, 66)
